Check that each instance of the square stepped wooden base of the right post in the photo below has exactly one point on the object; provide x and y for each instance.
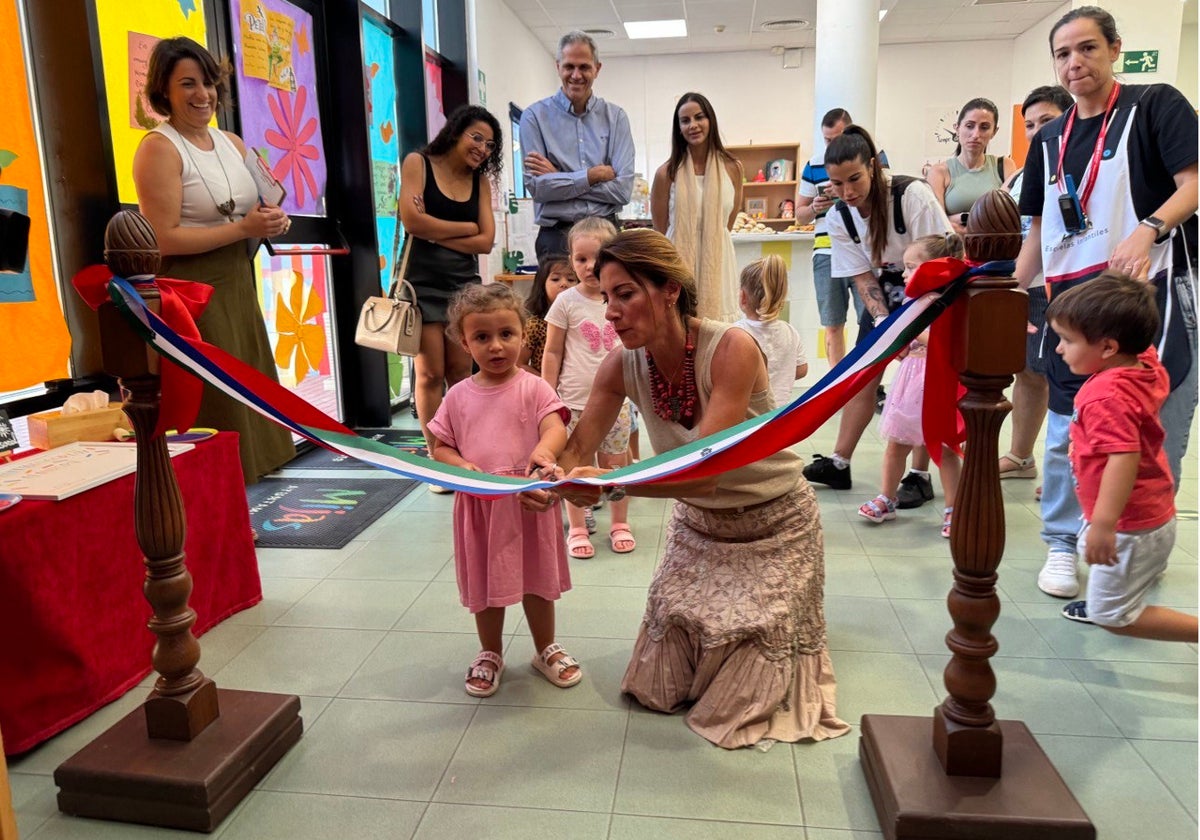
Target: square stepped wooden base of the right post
(916, 801)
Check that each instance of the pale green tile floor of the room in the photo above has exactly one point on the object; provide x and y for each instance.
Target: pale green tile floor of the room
(374, 640)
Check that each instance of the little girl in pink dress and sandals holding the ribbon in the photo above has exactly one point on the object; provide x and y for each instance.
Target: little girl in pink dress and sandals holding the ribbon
(496, 422)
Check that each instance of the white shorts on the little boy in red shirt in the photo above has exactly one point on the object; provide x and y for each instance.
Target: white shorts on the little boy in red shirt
(1117, 595)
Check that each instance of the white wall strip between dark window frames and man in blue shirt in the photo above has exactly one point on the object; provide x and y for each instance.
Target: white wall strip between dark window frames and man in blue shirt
(517, 68)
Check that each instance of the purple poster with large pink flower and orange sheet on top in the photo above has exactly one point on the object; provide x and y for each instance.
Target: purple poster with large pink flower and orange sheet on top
(277, 98)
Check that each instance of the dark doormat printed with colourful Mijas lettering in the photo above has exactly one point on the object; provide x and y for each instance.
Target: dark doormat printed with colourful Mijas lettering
(320, 513)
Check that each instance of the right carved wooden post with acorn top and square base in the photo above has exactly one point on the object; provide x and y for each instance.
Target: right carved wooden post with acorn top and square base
(965, 773)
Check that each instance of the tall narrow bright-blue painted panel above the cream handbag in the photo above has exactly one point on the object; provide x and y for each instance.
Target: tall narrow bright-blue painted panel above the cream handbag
(380, 73)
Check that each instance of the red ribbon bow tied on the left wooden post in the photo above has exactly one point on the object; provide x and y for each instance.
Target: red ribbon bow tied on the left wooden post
(182, 304)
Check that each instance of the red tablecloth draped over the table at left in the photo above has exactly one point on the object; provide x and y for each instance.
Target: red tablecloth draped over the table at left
(73, 615)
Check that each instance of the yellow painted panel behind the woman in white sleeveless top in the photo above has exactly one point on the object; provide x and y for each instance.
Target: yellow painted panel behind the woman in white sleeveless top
(128, 34)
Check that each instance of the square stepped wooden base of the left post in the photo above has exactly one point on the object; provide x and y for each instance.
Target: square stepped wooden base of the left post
(128, 777)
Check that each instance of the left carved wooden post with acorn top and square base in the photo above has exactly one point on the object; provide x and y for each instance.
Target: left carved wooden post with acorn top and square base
(193, 752)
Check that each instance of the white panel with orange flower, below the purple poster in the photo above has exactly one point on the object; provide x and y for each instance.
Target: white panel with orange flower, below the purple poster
(295, 297)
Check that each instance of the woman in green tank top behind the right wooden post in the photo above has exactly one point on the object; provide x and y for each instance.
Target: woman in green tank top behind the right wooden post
(962, 181)
